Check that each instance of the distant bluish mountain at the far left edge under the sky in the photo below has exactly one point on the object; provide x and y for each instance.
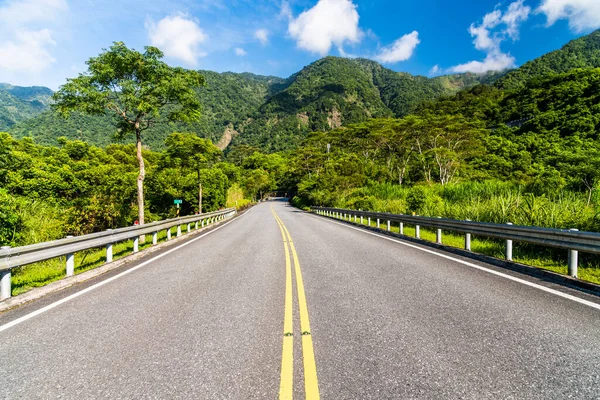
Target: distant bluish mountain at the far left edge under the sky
(21, 103)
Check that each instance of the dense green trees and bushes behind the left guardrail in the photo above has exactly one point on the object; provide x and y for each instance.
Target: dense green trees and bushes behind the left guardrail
(47, 192)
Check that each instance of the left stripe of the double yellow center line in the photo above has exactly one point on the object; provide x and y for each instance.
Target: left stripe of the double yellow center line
(286, 385)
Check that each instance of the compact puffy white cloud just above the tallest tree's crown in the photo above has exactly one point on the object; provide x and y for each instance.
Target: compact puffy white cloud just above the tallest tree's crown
(178, 36)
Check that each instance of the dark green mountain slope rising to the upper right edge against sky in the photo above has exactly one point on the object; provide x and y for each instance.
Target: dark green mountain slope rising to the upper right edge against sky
(583, 52)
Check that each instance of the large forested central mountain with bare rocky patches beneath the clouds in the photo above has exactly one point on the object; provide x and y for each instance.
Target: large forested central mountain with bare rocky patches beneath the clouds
(333, 92)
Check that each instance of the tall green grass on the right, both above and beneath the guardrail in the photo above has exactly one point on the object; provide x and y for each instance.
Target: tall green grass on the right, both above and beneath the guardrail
(491, 201)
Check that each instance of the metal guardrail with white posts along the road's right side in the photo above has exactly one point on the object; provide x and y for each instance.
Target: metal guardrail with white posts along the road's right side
(570, 239)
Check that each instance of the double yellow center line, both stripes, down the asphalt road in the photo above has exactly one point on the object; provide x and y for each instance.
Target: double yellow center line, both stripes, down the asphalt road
(311, 384)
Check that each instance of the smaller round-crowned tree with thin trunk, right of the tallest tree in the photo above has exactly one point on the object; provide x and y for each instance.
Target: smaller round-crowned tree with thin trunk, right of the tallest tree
(190, 151)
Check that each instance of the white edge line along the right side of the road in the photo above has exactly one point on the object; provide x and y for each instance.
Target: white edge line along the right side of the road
(490, 271)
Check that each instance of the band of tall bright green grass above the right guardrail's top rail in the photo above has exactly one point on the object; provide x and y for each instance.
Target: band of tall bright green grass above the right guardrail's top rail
(491, 201)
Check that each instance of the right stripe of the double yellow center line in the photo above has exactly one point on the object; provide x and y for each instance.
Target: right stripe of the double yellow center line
(311, 383)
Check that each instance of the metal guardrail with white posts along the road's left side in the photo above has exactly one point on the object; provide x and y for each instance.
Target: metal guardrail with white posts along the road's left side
(13, 257)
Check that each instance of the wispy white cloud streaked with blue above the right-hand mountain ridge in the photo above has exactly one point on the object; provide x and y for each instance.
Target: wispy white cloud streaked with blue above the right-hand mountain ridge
(495, 28)
